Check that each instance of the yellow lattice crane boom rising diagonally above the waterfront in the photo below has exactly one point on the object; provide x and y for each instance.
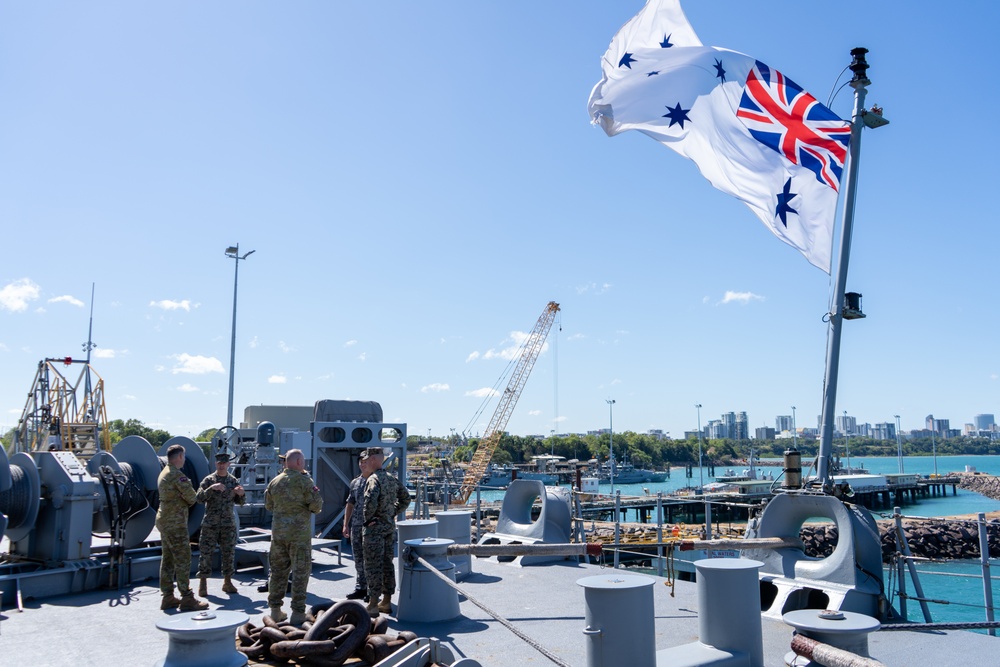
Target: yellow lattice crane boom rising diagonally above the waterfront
(487, 446)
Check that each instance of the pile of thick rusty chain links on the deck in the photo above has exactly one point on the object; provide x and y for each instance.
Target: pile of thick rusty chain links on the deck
(339, 632)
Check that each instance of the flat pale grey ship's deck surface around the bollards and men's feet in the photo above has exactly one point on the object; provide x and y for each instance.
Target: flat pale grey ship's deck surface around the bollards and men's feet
(101, 628)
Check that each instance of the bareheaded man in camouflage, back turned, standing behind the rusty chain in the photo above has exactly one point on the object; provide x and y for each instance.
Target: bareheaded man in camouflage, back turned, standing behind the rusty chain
(291, 497)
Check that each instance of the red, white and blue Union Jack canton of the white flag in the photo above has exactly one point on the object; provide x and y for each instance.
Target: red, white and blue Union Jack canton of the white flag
(780, 115)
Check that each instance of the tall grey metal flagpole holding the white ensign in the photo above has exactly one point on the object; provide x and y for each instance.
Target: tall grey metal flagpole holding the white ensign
(860, 68)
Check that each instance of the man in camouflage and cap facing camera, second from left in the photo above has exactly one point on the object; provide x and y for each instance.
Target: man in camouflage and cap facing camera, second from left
(219, 491)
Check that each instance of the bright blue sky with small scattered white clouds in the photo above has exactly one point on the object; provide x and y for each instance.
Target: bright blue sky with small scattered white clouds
(419, 179)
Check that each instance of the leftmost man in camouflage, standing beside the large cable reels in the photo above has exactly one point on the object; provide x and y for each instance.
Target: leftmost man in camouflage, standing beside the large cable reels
(176, 496)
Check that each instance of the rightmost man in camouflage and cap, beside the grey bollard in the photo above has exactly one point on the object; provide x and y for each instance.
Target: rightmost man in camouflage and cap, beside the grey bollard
(385, 497)
